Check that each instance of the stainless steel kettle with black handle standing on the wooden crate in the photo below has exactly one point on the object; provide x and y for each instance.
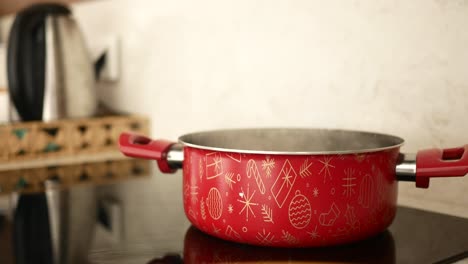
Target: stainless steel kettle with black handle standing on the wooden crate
(49, 67)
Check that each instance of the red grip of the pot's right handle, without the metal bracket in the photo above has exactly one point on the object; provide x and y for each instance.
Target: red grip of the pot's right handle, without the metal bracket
(440, 163)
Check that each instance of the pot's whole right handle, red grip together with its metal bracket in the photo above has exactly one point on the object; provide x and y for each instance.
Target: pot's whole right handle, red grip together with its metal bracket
(431, 163)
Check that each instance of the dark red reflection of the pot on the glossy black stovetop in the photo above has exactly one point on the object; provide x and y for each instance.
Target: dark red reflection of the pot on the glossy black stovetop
(202, 248)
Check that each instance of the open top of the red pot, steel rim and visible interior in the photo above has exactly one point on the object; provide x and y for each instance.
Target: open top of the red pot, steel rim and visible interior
(291, 141)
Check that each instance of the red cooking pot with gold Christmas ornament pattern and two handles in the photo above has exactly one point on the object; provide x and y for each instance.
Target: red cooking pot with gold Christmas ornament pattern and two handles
(293, 187)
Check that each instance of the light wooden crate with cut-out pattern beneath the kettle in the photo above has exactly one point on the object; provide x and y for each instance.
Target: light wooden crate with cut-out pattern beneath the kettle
(65, 142)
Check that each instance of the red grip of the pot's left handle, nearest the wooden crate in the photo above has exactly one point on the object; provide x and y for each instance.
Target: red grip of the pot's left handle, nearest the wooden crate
(137, 146)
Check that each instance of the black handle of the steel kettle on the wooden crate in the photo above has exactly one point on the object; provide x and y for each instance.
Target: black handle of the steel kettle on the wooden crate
(26, 55)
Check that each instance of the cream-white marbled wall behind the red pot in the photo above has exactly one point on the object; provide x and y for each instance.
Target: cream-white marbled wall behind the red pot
(392, 66)
